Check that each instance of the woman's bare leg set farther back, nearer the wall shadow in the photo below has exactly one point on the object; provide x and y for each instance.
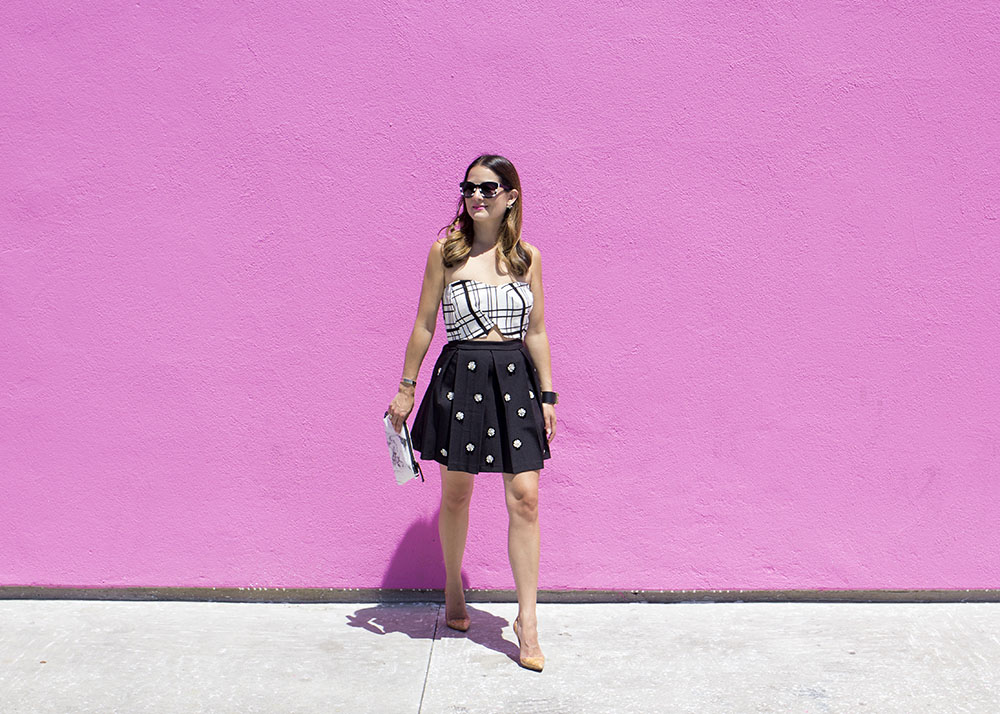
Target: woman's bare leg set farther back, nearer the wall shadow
(453, 526)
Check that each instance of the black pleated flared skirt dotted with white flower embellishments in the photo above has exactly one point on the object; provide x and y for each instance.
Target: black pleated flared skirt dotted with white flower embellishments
(482, 410)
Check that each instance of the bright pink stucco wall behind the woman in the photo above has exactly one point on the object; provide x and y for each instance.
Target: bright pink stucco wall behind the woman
(771, 246)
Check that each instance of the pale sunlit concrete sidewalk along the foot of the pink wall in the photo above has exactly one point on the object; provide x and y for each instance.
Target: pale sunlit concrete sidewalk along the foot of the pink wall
(111, 656)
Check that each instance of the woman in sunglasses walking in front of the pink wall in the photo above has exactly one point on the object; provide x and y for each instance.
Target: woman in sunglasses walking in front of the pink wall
(489, 406)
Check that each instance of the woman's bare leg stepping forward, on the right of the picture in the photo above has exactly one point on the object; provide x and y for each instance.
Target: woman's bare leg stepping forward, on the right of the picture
(523, 547)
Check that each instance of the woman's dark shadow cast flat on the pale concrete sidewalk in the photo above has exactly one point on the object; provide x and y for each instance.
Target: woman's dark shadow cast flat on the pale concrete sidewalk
(486, 629)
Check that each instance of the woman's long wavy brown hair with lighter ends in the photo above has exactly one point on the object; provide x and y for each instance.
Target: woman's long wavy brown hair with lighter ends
(511, 255)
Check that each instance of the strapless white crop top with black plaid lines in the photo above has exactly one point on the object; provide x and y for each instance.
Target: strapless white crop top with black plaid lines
(471, 309)
